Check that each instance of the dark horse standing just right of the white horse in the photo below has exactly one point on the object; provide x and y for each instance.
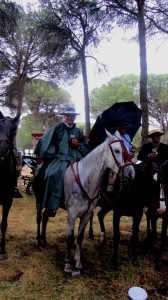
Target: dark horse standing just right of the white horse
(128, 200)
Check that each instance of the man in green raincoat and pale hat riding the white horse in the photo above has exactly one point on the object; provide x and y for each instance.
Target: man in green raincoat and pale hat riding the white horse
(62, 145)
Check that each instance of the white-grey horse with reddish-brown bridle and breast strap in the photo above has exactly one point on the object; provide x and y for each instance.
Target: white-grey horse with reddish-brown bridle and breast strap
(81, 187)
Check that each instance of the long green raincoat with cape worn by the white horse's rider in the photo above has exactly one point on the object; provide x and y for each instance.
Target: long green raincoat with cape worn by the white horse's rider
(55, 147)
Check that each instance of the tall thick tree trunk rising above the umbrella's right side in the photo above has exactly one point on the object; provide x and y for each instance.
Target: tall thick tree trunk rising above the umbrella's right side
(143, 70)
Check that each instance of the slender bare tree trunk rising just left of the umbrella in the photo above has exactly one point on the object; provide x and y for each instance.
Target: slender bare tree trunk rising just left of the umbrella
(86, 94)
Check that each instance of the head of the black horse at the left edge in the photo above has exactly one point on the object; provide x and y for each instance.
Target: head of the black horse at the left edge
(8, 127)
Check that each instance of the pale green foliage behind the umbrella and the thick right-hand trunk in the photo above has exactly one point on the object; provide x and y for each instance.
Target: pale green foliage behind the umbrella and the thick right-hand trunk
(126, 88)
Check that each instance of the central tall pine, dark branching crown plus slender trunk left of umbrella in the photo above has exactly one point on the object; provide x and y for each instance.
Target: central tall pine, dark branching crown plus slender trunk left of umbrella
(79, 23)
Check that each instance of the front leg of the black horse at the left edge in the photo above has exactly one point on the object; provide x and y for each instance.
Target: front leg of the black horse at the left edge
(4, 224)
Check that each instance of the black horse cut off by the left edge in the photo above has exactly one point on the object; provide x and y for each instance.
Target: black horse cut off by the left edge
(8, 127)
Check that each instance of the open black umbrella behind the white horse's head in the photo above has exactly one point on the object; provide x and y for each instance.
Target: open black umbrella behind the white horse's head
(119, 113)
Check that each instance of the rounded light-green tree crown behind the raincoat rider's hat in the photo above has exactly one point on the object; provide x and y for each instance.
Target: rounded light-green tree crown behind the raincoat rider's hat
(45, 100)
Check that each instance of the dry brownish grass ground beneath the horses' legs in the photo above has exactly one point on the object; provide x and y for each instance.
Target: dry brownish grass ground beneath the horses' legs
(31, 273)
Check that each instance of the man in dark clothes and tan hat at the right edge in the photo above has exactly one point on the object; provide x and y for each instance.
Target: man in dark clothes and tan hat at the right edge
(154, 151)
